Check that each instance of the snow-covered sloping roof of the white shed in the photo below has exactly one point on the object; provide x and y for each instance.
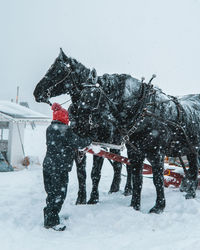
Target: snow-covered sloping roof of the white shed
(16, 112)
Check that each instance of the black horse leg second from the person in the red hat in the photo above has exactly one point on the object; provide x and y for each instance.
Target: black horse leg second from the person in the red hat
(95, 175)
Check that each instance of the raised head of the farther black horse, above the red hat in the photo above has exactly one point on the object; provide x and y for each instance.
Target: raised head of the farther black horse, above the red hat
(65, 76)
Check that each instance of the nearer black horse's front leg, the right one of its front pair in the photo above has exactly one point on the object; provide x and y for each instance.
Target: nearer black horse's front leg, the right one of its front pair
(157, 163)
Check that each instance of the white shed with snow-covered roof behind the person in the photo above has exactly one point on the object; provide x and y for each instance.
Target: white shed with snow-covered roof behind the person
(13, 119)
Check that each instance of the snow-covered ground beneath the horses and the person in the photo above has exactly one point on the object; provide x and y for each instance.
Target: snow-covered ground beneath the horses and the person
(111, 224)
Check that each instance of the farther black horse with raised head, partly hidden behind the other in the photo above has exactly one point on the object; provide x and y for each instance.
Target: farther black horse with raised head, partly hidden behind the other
(66, 74)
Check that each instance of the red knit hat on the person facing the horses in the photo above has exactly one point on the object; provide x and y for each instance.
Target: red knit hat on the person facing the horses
(59, 113)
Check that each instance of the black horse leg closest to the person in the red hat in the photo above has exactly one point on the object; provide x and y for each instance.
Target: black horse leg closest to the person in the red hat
(81, 174)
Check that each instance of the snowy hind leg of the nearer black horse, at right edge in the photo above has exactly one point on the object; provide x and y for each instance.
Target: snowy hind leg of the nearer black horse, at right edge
(190, 182)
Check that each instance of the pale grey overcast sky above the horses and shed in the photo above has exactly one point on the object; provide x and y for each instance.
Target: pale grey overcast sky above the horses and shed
(138, 37)
